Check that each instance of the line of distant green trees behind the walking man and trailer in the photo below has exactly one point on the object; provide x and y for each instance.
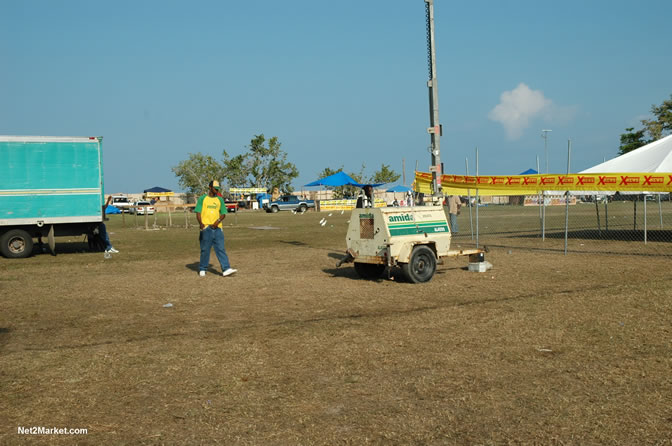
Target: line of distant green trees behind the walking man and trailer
(265, 166)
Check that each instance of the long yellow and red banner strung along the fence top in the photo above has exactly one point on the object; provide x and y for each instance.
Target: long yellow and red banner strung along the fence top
(528, 184)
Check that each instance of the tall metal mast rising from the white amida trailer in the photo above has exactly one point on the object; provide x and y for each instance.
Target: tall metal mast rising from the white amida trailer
(434, 126)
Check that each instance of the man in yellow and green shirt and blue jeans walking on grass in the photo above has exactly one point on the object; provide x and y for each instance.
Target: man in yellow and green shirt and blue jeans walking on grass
(210, 211)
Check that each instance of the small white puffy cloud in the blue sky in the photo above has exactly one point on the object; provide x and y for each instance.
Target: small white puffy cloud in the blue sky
(519, 106)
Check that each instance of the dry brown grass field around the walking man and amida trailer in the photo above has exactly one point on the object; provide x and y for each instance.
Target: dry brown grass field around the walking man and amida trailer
(542, 349)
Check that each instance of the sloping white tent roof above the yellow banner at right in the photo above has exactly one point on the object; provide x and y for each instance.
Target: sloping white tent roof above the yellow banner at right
(653, 157)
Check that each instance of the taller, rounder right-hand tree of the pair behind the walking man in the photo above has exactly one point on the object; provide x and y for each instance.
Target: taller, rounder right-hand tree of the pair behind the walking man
(268, 165)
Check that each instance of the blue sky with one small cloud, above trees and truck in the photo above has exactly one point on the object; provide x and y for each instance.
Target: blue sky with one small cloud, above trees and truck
(339, 83)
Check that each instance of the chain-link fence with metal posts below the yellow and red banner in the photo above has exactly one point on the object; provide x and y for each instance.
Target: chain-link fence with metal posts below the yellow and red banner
(627, 224)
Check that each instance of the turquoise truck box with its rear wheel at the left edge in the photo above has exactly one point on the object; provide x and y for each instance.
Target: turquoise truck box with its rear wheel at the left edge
(49, 186)
